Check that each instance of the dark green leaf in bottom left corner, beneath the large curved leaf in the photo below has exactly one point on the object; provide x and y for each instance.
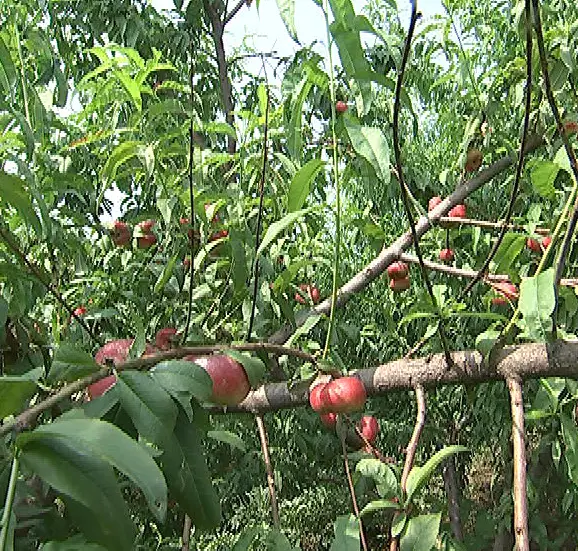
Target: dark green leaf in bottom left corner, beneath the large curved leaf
(86, 479)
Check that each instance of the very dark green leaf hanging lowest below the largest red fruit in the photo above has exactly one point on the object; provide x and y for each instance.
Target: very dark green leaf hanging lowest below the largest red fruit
(188, 477)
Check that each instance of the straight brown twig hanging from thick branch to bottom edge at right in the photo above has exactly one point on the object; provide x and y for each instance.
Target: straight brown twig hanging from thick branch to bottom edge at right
(519, 482)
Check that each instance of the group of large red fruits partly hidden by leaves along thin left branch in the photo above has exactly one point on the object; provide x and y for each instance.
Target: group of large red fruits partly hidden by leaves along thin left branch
(230, 382)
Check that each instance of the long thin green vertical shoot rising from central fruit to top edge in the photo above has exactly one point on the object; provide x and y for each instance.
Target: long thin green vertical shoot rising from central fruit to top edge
(337, 187)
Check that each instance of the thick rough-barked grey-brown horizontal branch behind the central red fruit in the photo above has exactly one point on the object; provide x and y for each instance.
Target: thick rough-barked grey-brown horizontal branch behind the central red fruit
(526, 361)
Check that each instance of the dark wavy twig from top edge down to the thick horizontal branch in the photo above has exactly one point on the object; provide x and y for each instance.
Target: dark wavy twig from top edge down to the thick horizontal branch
(404, 192)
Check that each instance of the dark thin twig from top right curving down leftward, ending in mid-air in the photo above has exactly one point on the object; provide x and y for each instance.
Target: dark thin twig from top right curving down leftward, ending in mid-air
(520, 164)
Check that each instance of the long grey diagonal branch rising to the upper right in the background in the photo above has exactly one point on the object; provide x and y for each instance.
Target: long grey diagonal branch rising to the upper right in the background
(392, 253)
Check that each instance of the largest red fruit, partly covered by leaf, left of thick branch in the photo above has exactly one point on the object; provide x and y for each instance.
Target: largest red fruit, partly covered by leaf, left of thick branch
(230, 382)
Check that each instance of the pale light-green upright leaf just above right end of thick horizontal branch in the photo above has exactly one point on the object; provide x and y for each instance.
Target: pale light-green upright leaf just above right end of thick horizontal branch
(537, 302)
